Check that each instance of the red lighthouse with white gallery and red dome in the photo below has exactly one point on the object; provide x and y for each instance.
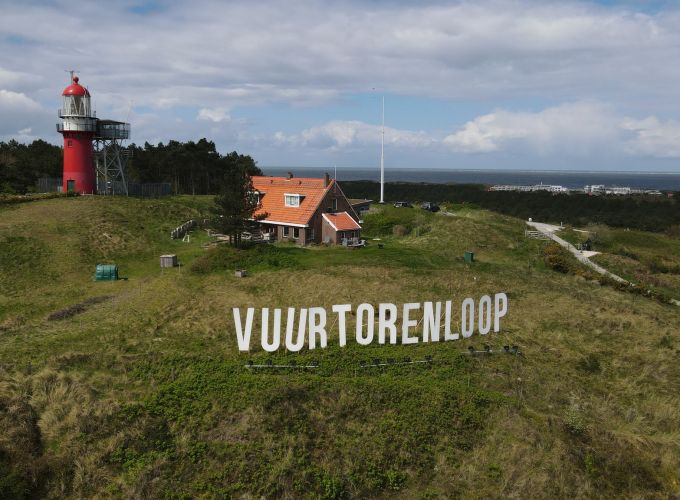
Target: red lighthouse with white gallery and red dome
(78, 127)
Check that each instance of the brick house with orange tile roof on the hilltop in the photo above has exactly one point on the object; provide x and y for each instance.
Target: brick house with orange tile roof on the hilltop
(305, 210)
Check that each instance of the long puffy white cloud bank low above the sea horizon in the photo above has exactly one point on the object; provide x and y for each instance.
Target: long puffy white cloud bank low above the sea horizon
(579, 129)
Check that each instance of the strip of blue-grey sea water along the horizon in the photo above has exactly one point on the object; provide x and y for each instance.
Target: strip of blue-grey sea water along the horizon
(569, 179)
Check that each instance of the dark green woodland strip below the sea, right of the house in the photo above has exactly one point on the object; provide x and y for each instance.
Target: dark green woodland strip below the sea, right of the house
(648, 213)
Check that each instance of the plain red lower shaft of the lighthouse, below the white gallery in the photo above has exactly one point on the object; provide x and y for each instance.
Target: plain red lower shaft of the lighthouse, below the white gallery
(78, 163)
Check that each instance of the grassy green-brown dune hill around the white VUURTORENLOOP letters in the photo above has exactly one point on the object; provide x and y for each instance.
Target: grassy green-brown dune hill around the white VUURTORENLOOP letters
(146, 394)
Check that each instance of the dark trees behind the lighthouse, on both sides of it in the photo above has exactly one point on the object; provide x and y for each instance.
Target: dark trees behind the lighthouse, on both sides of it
(190, 167)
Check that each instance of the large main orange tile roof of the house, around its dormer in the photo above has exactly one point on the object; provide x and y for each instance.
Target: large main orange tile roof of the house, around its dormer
(273, 189)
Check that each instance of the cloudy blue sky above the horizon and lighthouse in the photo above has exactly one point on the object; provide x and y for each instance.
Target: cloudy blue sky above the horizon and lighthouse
(516, 84)
